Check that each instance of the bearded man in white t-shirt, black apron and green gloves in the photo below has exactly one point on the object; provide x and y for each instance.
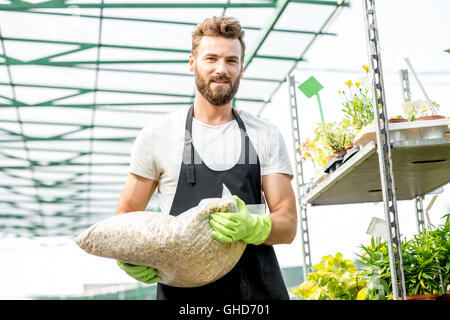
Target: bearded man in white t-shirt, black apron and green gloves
(198, 151)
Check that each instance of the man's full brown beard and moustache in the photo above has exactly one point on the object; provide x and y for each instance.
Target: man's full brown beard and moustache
(218, 96)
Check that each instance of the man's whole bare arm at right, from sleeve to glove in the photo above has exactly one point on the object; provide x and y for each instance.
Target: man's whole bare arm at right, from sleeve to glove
(283, 211)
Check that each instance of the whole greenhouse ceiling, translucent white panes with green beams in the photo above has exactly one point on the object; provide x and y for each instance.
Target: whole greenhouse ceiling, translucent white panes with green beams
(79, 79)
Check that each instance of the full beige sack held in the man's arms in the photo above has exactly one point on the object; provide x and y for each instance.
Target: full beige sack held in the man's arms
(180, 247)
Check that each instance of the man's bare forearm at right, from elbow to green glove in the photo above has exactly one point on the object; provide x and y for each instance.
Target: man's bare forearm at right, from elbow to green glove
(284, 228)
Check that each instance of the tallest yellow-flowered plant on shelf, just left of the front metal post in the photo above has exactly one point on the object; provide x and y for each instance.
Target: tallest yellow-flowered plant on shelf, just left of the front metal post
(357, 102)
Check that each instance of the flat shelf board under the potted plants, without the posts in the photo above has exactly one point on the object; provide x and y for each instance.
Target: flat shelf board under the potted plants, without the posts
(420, 166)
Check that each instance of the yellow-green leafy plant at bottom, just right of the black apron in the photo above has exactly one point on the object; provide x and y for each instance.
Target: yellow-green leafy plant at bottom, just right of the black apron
(333, 279)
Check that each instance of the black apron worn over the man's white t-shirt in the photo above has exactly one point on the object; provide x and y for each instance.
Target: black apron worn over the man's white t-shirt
(257, 275)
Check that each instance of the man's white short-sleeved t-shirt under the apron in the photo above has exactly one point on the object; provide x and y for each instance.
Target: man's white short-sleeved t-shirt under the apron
(157, 150)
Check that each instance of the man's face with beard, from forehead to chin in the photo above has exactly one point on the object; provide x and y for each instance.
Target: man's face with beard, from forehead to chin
(218, 69)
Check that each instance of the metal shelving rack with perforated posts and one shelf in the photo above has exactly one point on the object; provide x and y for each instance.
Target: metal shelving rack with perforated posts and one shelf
(336, 187)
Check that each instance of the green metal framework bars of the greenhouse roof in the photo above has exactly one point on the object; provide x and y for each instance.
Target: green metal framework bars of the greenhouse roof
(28, 204)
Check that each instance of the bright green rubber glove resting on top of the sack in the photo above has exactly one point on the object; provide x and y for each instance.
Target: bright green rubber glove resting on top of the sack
(242, 225)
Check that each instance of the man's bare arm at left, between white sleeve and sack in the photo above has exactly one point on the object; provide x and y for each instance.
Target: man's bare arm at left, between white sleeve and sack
(136, 194)
